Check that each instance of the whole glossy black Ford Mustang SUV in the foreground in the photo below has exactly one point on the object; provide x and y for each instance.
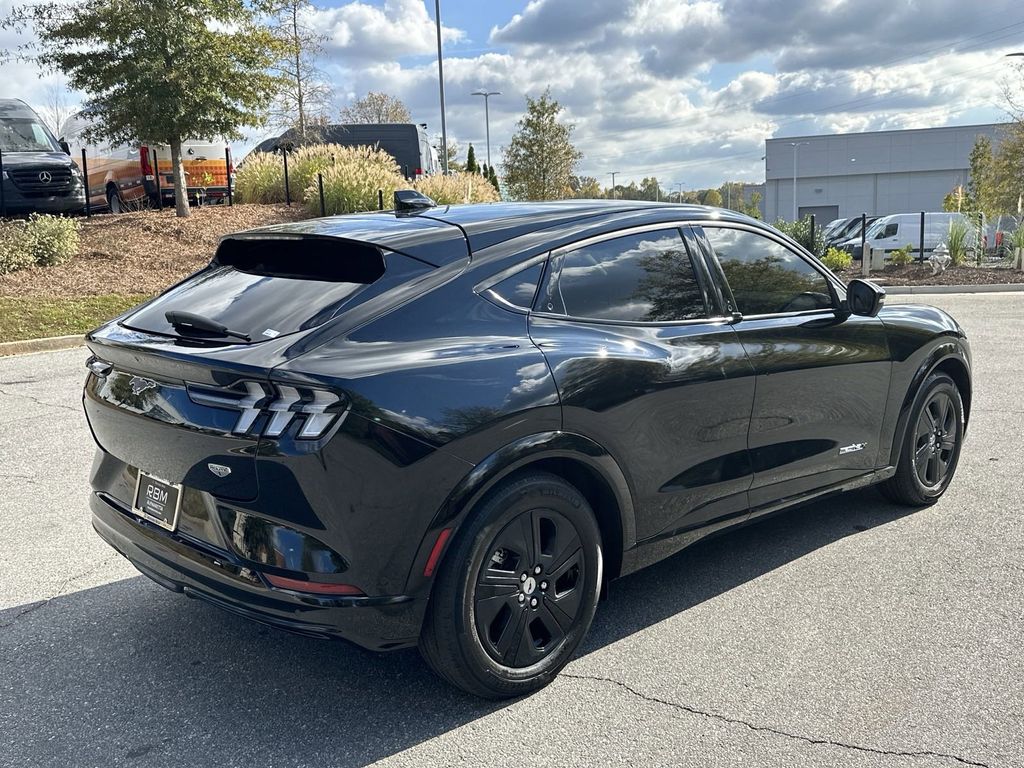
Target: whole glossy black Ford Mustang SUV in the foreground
(458, 434)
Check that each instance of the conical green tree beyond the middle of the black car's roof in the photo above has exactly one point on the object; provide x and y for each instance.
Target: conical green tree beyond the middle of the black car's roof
(541, 157)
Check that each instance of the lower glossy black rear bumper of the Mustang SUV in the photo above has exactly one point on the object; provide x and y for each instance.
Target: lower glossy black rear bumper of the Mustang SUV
(376, 623)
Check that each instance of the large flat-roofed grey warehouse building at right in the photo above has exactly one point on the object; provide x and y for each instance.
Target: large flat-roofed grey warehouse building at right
(878, 174)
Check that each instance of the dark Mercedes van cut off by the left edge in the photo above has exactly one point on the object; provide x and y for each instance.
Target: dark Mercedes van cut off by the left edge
(38, 175)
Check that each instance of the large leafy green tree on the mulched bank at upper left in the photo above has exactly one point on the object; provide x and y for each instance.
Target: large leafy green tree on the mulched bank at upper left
(161, 71)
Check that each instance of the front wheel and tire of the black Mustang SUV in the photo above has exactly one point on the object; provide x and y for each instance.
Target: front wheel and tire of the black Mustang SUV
(931, 447)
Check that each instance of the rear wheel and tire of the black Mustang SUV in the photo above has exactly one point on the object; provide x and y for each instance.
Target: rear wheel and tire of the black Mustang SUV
(518, 591)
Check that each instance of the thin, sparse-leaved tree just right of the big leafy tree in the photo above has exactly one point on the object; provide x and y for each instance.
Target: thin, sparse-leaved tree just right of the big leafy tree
(305, 97)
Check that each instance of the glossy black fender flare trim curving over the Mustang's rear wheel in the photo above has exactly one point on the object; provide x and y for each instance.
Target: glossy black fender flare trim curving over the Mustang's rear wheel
(504, 462)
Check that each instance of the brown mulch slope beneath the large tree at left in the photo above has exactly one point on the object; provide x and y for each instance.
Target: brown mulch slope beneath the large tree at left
(143, 252)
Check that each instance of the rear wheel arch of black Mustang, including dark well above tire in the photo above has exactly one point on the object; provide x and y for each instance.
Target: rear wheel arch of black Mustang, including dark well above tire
(578, 460)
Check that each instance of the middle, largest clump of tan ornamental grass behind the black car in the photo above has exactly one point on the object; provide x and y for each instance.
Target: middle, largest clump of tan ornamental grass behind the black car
(352, 184)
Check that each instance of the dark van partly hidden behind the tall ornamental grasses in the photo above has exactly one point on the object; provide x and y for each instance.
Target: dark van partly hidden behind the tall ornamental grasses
(407, 143)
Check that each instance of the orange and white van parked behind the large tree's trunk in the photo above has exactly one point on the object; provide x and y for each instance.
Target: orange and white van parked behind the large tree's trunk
(125, 176)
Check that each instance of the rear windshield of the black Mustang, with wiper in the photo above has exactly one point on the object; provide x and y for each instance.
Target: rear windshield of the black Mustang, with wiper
(268, 288)
